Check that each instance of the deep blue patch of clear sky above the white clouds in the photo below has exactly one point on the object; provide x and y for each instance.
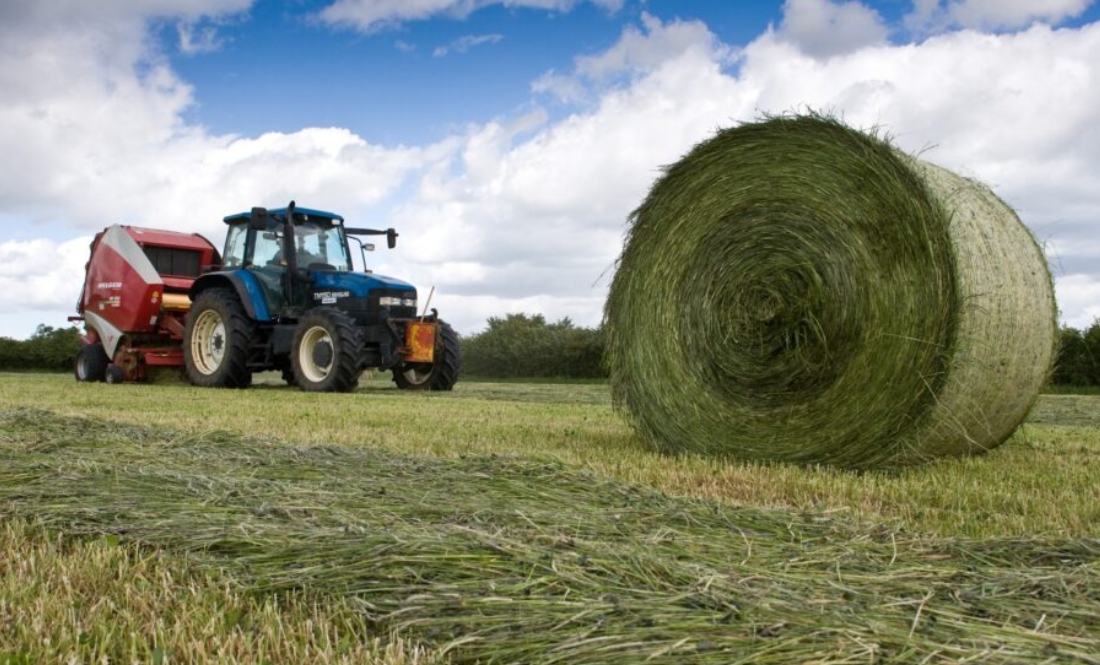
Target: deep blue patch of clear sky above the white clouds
(279, 69)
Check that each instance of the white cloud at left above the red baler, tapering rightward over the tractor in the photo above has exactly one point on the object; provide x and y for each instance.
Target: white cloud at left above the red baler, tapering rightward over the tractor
(96, 117)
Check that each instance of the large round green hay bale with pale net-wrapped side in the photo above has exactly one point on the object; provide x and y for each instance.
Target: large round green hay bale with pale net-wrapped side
(797, 291)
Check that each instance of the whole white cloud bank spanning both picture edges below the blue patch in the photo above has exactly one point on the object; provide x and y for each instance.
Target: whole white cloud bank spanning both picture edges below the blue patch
(525, 213)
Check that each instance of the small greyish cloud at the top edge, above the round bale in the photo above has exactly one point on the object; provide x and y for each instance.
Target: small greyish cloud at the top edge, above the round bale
(824, 28)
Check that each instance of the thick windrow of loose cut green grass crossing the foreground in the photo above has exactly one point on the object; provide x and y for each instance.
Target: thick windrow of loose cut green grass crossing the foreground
(505, 560)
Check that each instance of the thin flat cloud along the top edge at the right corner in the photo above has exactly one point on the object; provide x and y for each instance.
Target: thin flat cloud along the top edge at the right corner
(992, 15)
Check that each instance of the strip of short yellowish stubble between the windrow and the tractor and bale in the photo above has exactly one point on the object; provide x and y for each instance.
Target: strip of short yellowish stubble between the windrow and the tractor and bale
(1044, 482)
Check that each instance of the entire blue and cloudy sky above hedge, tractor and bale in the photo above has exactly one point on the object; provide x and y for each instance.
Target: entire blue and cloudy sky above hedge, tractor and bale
(508, 140)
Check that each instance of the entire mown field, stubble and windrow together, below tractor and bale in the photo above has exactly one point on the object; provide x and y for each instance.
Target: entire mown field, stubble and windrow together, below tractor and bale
(516, 523)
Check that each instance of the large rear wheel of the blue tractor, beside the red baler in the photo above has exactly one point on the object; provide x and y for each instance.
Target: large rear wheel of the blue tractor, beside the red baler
(218, 340)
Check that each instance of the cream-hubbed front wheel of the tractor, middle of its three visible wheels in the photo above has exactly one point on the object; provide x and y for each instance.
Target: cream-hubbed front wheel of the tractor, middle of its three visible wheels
(327, 352)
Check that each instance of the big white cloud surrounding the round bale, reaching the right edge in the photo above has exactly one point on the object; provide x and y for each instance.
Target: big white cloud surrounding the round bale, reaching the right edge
(543, 209)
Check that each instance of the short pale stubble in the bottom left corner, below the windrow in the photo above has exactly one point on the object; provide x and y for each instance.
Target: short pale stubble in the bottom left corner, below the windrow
(100, 601)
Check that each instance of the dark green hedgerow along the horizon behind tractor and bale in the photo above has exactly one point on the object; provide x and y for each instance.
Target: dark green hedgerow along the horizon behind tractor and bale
(529, 347)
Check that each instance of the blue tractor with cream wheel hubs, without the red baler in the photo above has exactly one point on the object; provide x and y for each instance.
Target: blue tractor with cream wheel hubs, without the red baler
(287, 298)
